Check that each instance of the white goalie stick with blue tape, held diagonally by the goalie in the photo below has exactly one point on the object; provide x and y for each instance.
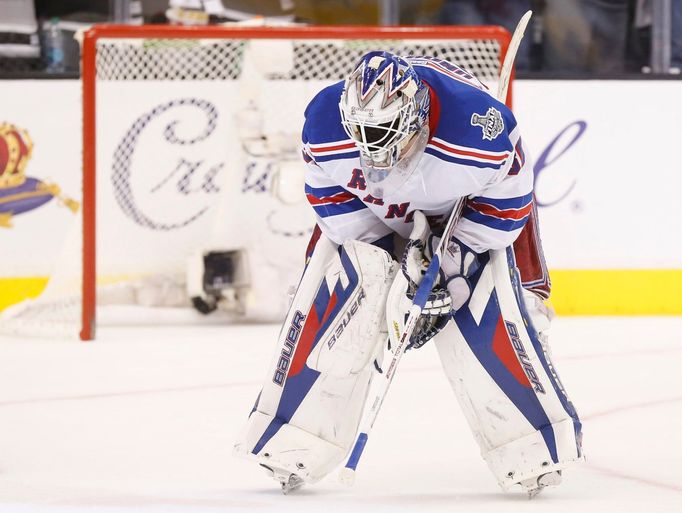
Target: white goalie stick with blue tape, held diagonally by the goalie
(347, 475)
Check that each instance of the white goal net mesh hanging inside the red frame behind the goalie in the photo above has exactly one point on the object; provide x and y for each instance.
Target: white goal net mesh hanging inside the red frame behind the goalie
(196, 140)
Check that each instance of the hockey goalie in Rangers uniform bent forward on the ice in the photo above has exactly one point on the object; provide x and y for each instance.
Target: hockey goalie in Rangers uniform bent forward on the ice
(390, 152)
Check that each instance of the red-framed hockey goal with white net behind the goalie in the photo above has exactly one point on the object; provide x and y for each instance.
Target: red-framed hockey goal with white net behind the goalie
(134, 76)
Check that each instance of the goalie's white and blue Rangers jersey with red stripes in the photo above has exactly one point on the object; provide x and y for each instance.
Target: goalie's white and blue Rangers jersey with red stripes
(474, 151)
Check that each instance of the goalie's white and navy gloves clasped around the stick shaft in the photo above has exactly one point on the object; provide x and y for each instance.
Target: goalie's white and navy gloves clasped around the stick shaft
(452, 289)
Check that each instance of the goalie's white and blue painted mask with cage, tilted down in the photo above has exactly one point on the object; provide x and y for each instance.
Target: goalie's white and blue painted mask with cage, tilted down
(384, 108)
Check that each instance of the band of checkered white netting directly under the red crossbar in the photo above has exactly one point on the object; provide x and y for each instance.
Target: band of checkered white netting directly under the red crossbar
(167, 59)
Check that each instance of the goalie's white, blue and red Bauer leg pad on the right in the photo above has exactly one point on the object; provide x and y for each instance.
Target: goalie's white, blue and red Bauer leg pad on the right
(502, 375)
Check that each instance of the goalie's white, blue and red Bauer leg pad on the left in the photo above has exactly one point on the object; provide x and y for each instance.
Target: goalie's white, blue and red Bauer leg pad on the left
(306, 416)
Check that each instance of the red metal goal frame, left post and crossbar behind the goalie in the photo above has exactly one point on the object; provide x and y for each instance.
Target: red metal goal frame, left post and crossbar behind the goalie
(496, 38)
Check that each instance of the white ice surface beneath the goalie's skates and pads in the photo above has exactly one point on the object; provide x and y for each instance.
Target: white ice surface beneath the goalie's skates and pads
(144, 419)
